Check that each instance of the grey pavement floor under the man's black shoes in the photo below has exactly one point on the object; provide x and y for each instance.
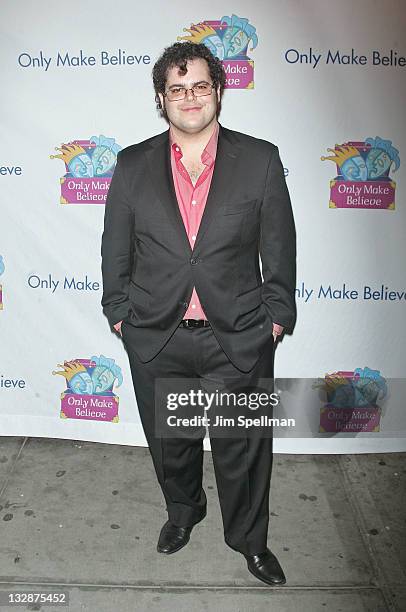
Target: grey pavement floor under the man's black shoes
(84, 518)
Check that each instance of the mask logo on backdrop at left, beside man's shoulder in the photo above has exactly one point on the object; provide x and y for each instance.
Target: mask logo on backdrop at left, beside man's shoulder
(89, 166)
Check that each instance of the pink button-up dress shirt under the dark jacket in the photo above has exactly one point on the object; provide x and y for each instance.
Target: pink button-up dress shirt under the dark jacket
(192, 200)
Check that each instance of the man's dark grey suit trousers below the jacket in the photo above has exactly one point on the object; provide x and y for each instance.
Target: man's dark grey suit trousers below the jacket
(242, 464)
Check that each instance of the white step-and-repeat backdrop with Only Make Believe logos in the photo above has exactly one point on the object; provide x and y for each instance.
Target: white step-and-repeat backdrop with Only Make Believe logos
(325, 82)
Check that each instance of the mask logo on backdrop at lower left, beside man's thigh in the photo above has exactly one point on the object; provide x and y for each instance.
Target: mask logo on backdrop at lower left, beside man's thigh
(89, 389)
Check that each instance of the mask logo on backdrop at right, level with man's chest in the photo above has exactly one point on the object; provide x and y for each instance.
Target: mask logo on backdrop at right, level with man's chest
(363, 179)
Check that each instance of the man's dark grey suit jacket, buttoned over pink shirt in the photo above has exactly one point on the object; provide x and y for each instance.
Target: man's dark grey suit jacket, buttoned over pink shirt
(149, 268)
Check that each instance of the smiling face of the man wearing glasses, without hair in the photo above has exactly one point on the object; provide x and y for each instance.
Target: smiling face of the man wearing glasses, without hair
(191, 114)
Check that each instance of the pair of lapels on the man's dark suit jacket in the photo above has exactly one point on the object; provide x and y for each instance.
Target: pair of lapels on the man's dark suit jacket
(159, 162)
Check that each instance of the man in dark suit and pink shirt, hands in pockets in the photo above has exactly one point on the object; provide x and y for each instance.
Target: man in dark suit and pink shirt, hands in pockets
(187, 213)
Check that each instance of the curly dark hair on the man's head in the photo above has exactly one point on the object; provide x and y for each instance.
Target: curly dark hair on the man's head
(178, 55)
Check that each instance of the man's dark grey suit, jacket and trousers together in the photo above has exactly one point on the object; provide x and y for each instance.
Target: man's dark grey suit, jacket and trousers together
(149, 271)
